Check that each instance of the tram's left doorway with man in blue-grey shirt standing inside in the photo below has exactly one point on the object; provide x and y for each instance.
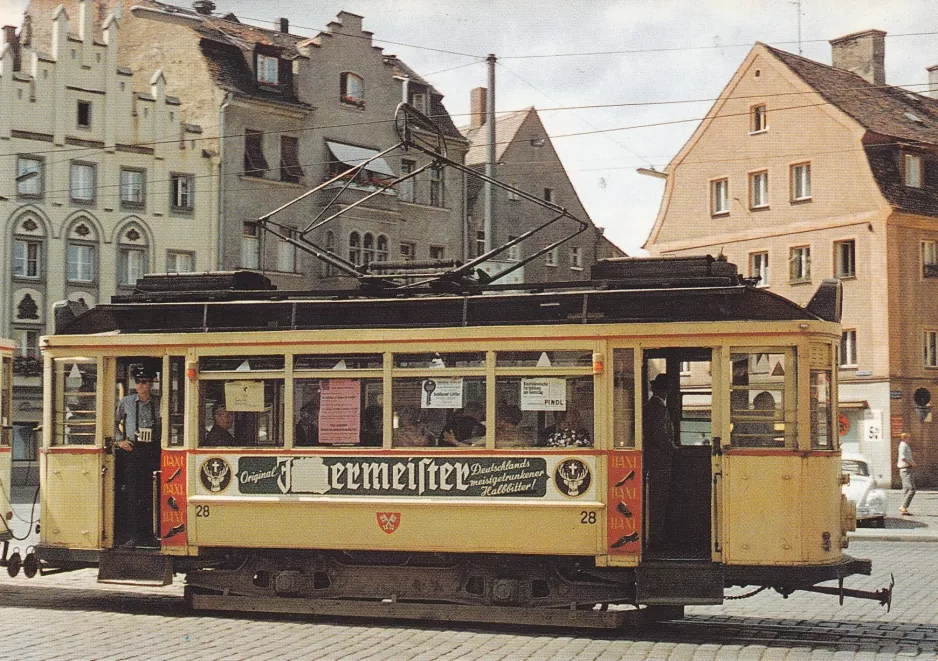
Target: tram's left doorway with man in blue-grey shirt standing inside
(137, 432)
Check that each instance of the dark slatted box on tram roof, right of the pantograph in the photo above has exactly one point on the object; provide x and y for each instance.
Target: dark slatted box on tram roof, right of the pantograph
(668, 271)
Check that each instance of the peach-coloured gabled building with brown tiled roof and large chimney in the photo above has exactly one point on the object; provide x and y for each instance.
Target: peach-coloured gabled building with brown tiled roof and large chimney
(803, 171)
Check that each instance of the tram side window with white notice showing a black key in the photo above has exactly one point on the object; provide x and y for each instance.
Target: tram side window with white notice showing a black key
(446, 411)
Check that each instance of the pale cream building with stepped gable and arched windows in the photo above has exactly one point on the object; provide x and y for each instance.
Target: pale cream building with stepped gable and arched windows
(100, 182)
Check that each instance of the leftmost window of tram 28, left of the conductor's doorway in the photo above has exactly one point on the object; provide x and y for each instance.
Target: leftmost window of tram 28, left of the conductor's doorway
(75, 396)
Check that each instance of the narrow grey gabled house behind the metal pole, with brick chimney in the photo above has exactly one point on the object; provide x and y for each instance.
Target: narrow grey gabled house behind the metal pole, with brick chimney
(526, 159)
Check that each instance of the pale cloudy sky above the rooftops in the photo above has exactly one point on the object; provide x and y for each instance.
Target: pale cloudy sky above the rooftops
(619, 84)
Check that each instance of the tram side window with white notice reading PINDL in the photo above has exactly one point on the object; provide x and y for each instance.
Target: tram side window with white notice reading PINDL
(543, 411)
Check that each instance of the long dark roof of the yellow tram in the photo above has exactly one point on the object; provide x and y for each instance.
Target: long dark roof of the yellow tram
(661, 292)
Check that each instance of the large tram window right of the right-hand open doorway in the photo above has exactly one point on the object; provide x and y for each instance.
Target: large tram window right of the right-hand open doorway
(762, 399)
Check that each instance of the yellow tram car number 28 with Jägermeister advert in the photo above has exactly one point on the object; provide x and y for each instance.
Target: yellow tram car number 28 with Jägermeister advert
(463, 455)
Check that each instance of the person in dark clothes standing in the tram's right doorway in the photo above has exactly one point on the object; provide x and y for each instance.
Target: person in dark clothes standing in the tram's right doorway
(659, 448)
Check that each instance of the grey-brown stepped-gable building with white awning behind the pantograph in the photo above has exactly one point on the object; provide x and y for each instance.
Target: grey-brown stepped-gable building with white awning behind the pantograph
(292, 112)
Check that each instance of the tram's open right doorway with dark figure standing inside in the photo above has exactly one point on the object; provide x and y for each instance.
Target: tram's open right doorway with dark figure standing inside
(677, 442)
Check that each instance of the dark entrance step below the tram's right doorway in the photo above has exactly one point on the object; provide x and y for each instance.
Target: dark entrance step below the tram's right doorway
(669, 582)
